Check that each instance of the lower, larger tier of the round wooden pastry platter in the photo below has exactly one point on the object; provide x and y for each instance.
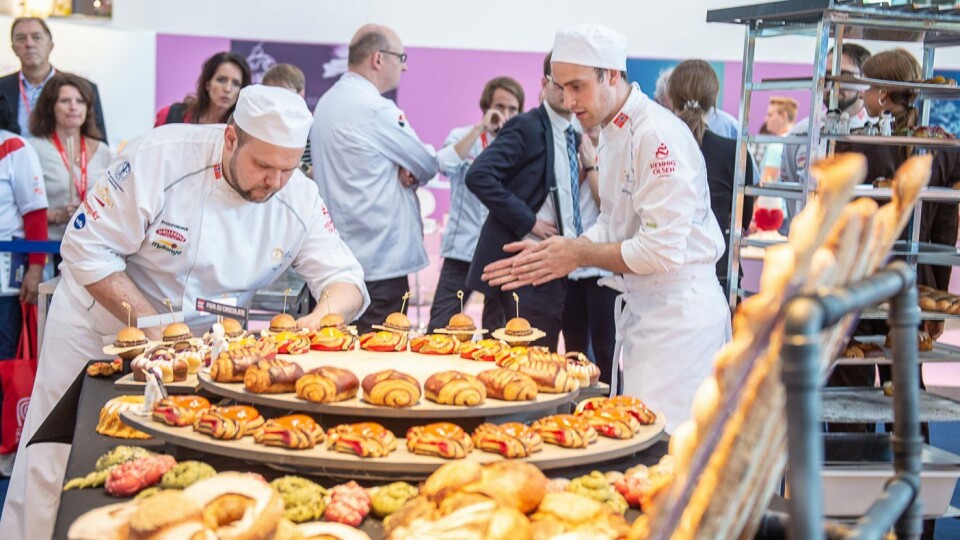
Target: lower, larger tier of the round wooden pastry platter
(399, 462)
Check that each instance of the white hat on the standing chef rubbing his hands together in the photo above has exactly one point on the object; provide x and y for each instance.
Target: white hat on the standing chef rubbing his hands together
(591, 45)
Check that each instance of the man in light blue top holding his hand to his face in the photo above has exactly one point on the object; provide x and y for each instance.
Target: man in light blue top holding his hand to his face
(501, 100)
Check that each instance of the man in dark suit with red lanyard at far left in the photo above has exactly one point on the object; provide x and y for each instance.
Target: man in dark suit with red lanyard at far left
(32, 43)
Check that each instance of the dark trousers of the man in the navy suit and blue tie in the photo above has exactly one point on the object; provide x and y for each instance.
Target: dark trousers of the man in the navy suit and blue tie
(542, 306)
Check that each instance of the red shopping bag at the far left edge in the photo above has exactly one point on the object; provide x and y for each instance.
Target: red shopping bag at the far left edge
(16, 376)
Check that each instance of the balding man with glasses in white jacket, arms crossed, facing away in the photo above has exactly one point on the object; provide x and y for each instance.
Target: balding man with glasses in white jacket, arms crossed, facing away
(368, 163)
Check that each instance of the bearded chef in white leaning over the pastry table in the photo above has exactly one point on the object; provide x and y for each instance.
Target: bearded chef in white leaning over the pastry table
(185, 212)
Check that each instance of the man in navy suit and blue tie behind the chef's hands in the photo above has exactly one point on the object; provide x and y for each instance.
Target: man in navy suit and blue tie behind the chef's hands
(516, 178)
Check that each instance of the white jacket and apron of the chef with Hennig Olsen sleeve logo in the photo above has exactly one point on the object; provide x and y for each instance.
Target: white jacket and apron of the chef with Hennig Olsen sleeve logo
(671, 316)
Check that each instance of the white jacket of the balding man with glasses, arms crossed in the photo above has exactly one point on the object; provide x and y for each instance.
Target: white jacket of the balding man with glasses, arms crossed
(360, 140)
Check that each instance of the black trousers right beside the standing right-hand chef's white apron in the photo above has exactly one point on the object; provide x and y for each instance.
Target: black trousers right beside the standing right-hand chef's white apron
(588, 321)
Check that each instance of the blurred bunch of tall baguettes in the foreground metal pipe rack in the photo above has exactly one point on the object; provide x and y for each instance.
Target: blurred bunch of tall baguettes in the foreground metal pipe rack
(730, 455)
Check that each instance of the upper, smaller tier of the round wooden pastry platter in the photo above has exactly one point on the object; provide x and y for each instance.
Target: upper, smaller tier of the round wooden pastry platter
(363, 363)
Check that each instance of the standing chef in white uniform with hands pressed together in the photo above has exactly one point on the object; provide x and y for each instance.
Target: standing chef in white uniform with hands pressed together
(655, 229)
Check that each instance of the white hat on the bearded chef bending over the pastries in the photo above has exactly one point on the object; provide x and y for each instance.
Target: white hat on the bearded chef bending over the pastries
(274, 115)
